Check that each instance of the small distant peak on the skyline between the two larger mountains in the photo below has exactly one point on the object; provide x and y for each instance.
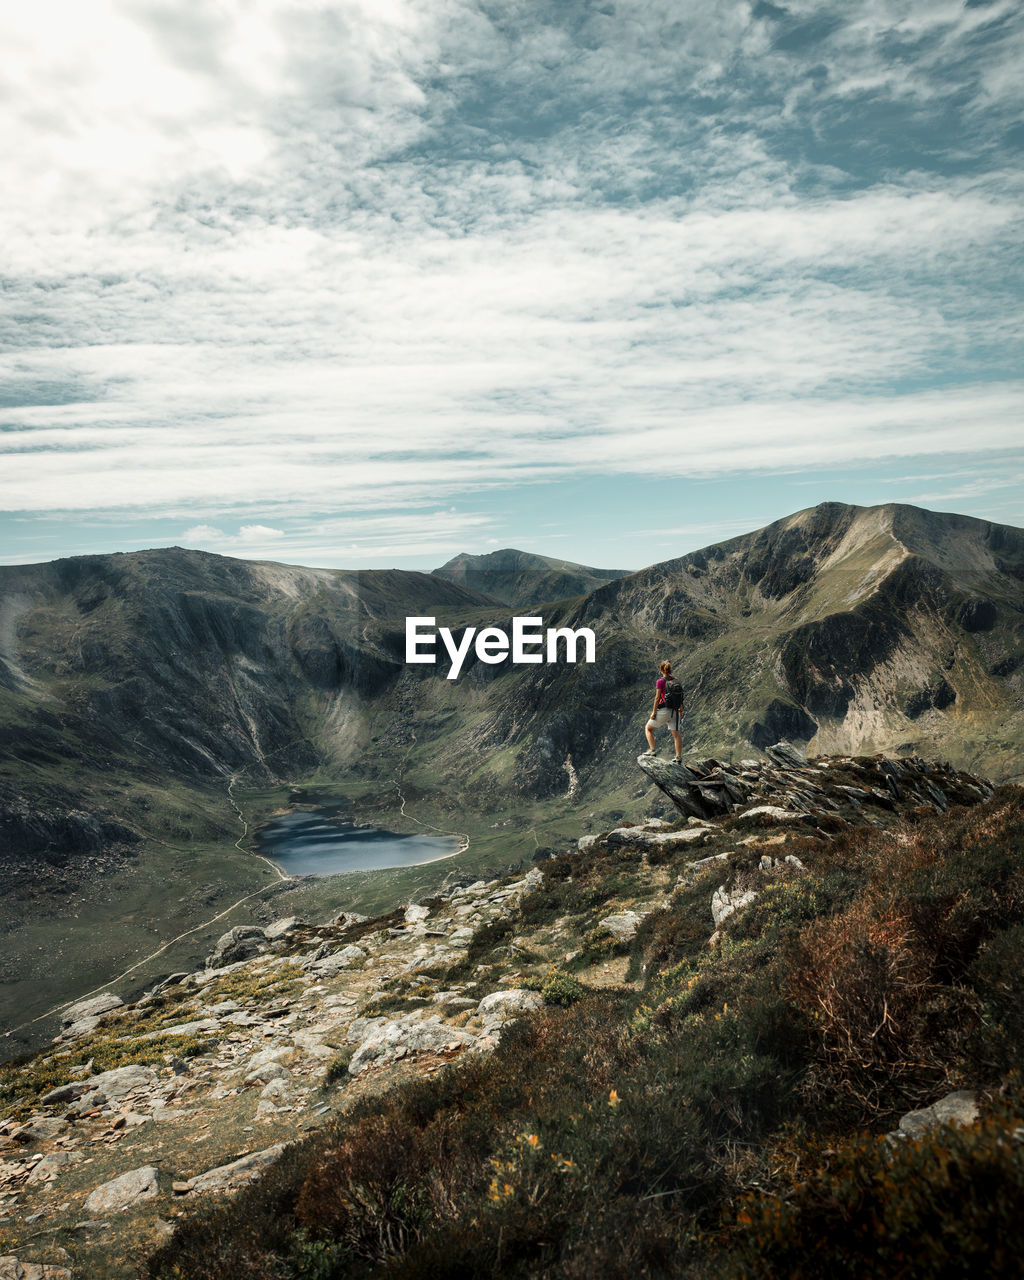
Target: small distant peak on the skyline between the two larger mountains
(524, 580)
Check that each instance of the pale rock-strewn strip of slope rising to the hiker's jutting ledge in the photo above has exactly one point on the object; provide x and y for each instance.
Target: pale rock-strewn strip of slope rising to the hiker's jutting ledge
(141, 1110)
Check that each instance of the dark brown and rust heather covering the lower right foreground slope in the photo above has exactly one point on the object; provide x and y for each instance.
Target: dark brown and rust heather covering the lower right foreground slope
(726, 1121)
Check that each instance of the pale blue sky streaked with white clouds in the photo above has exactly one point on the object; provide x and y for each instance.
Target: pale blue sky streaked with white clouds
(376, 282)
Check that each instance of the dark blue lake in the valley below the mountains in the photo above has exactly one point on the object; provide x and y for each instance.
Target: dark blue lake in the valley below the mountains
(313, 844)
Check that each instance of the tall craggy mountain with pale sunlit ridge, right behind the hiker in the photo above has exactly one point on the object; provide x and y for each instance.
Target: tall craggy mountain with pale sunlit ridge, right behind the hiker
(847, 628)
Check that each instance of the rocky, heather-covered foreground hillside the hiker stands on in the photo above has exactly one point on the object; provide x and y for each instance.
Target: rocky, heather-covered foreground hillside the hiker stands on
(682, 1048)
